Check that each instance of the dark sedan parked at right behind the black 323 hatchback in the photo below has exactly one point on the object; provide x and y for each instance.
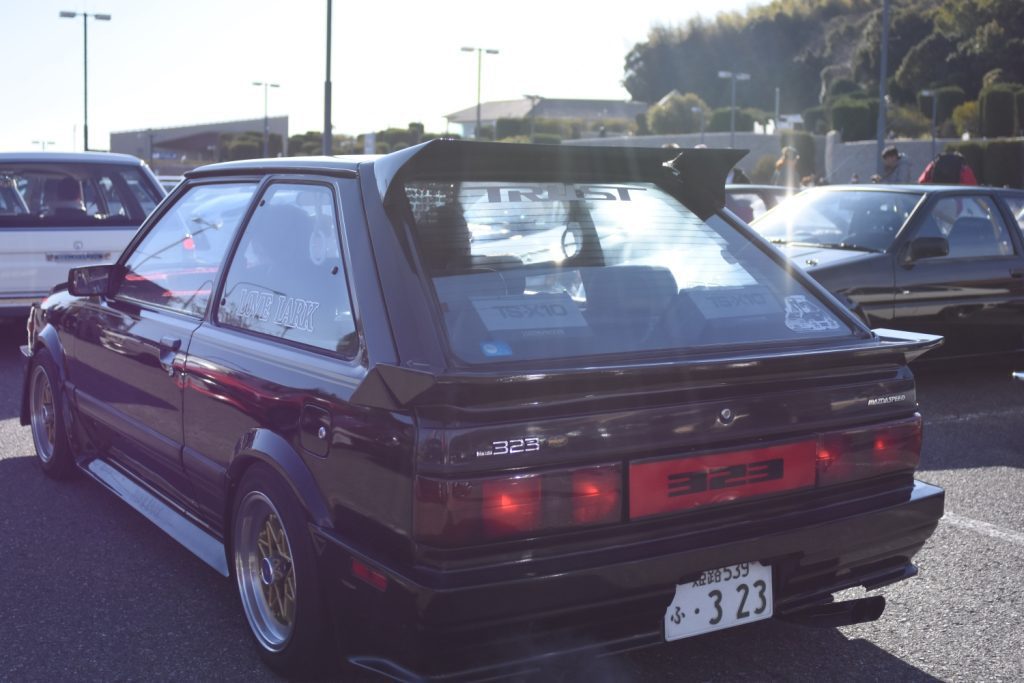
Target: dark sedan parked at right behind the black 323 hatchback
(946, 261)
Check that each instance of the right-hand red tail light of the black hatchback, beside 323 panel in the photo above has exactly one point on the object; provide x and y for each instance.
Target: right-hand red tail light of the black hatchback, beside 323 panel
(857, 454)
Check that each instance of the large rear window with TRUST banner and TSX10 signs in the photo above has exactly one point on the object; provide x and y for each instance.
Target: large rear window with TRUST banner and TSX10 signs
(536, 272)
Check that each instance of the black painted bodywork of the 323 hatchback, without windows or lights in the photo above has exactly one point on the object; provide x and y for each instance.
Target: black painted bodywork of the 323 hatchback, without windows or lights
(350, 436)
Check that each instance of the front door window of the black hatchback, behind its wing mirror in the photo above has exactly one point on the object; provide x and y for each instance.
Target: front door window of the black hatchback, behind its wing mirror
(177, 264)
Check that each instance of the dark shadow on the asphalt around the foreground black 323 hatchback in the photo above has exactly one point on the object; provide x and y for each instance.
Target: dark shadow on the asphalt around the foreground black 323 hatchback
(95, 592)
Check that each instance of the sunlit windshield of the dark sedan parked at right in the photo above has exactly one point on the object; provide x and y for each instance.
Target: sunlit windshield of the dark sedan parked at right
(866, 221)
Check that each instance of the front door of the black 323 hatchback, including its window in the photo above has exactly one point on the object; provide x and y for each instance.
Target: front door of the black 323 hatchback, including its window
(130, 349)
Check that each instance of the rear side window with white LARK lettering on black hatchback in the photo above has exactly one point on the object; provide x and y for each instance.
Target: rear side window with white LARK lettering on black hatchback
(287, 279)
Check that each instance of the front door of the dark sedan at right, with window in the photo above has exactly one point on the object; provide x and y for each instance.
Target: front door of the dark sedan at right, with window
(974, 295)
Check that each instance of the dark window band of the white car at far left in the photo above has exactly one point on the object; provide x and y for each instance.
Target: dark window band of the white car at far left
(40, 195)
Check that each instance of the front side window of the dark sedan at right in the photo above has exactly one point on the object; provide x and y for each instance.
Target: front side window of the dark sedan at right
(972, 225)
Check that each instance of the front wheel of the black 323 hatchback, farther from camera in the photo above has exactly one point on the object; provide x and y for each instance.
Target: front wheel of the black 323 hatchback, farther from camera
(50, 434)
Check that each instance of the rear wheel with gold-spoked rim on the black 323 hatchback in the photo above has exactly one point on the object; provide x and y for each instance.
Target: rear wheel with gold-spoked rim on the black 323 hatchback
(276, 573)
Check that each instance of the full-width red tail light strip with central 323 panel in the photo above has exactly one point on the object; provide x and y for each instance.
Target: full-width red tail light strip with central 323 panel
(453, 513)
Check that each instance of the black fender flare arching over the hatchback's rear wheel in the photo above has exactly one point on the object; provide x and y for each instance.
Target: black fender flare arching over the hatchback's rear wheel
(267, 447)
